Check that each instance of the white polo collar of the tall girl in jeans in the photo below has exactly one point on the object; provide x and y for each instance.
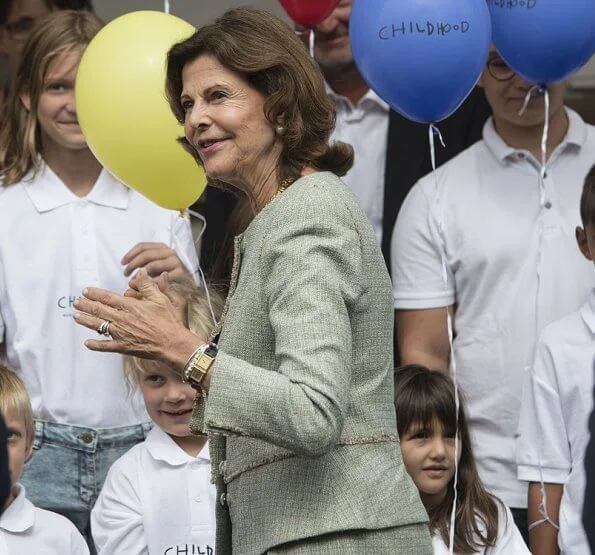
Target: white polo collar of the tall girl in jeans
(47, 191)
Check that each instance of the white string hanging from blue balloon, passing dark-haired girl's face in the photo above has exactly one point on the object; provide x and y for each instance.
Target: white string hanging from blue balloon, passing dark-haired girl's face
(434, 131)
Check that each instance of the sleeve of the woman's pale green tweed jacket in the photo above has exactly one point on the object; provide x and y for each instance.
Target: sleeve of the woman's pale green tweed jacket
(310, 271)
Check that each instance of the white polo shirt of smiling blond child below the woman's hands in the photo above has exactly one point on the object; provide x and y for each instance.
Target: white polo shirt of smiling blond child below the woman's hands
(156, 499)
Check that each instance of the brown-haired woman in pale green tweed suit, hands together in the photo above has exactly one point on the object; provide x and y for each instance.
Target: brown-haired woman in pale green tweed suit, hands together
(297, 395)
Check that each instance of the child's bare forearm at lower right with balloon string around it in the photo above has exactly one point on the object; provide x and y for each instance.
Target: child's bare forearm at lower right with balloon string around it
(543, 537)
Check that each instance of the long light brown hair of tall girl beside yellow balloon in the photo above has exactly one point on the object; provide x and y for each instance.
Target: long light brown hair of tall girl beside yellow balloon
(60, 32)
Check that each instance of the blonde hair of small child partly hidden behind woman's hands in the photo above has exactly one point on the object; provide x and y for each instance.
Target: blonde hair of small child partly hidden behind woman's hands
(199, 319)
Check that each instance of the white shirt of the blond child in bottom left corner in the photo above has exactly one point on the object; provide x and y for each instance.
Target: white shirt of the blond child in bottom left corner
(27, 530)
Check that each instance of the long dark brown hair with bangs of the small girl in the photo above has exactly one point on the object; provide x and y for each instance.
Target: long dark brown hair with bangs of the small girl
(424, 397)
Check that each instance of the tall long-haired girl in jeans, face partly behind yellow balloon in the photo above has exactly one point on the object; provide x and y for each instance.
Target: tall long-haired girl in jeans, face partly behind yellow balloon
(65, 224)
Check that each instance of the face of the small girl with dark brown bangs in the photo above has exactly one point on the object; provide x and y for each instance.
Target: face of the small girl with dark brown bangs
(430, 460)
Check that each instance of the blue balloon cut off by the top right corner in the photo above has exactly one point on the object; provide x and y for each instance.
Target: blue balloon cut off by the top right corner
(544, 41)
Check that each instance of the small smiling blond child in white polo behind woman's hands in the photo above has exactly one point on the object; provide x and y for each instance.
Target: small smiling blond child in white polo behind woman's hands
(158, 497)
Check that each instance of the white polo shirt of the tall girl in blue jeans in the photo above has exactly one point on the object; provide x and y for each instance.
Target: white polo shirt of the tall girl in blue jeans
(53, 244)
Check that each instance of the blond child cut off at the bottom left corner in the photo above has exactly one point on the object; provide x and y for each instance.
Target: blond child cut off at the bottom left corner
(25, 528)
